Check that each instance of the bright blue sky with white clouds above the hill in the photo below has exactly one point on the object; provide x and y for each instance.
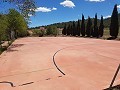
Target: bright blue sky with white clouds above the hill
(54, 11)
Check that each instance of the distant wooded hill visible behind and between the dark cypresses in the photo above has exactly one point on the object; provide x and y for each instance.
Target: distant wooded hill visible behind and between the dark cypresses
(106, 22)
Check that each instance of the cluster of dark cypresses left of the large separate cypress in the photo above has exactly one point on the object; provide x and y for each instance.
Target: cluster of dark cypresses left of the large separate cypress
(80, 29)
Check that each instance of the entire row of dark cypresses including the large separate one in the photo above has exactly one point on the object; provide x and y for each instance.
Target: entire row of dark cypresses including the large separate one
(90, 29)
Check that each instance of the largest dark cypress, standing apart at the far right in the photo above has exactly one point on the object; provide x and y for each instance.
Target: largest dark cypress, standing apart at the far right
(114, 26)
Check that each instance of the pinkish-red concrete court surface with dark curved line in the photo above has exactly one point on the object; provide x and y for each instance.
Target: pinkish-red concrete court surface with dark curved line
(88, 64)
